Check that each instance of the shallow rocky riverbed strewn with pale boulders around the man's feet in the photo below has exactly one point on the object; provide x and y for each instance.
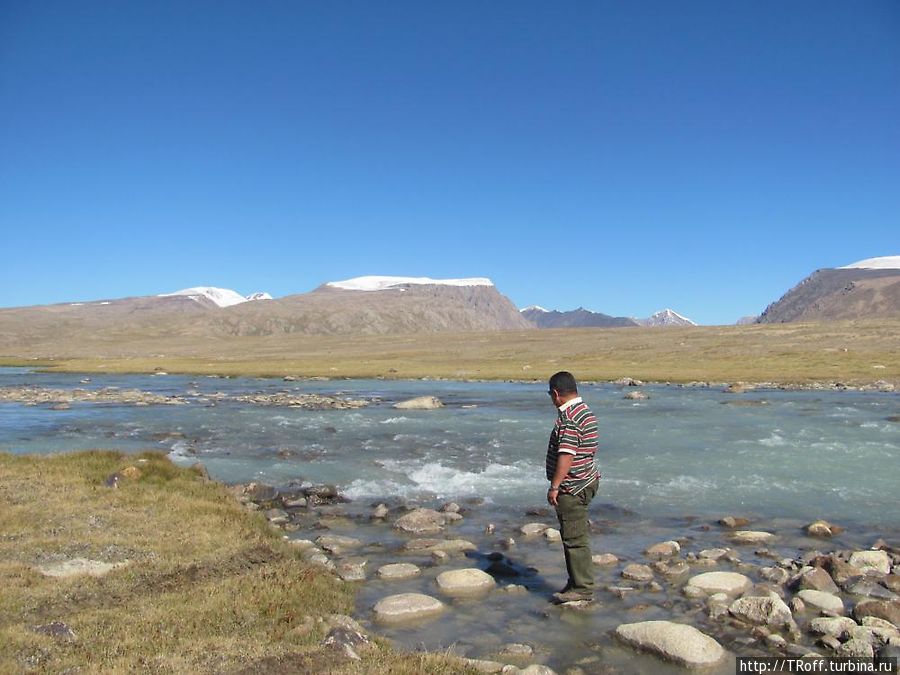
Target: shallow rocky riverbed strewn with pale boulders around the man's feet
(710, 592)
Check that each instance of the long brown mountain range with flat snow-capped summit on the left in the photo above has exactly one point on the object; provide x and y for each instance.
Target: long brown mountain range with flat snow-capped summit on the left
(365, 305)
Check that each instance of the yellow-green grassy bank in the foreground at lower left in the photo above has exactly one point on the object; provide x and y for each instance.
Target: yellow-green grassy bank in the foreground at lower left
(206, 586)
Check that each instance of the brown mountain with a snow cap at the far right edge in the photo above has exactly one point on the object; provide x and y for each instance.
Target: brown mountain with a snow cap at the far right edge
(866, 289)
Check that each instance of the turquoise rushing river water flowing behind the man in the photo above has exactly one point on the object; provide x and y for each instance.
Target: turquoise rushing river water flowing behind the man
(683, 452)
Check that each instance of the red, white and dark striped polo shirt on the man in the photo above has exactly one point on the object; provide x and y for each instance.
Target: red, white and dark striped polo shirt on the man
(574, 433)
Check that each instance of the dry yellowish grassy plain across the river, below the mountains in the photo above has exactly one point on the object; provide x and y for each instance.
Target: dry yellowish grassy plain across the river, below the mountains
(855, 352)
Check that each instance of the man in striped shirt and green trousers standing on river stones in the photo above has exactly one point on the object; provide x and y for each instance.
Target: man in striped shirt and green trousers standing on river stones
(572, 472)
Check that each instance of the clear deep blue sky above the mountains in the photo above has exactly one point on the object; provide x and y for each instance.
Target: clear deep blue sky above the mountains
(703, 156)
